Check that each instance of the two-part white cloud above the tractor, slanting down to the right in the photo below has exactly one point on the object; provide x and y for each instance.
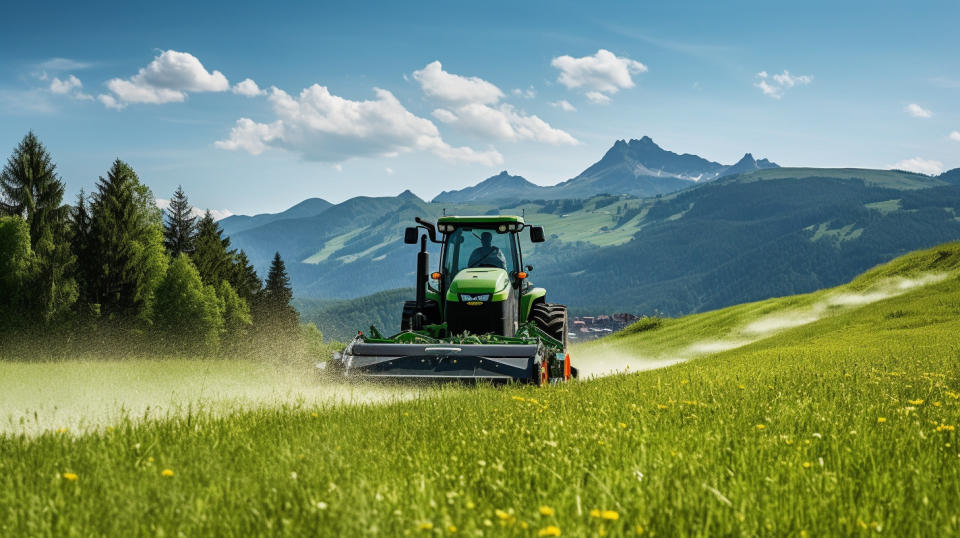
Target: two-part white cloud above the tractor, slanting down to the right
(474, 109)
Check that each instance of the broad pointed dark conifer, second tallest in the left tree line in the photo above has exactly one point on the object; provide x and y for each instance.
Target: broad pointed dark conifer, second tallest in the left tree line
(126, 240)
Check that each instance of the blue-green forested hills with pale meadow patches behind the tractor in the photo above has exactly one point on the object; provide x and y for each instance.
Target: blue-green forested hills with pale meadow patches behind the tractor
(742, 237)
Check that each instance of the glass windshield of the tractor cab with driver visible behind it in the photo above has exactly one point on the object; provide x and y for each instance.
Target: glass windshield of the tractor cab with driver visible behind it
(479, 247)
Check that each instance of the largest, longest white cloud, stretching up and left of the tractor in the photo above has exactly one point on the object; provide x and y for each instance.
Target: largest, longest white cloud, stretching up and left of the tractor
(321, 126)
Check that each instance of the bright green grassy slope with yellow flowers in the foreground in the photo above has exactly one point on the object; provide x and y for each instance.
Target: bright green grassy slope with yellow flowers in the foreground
(836, 415)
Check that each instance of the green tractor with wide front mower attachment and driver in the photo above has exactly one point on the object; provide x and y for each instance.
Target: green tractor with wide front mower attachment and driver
(477, 318)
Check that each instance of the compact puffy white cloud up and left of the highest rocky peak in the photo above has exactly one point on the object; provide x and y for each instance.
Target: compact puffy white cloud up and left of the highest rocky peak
(602, 73)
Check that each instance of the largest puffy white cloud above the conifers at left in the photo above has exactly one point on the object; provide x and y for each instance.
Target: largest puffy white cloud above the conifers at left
(167, 79)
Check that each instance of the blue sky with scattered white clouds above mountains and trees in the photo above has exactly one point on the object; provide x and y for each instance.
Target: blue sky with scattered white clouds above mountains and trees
(350, 101)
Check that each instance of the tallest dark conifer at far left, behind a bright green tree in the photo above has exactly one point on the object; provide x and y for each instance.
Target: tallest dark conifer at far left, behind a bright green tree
(31, 189)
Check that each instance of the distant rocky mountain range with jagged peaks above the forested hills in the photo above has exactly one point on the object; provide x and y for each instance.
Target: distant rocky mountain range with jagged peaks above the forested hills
(638, 167)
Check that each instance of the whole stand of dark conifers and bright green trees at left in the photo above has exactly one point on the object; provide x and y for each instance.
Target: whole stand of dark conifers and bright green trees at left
(114, 269)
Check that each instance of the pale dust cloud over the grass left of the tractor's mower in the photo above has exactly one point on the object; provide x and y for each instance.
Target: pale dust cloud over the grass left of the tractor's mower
(91, 395)
